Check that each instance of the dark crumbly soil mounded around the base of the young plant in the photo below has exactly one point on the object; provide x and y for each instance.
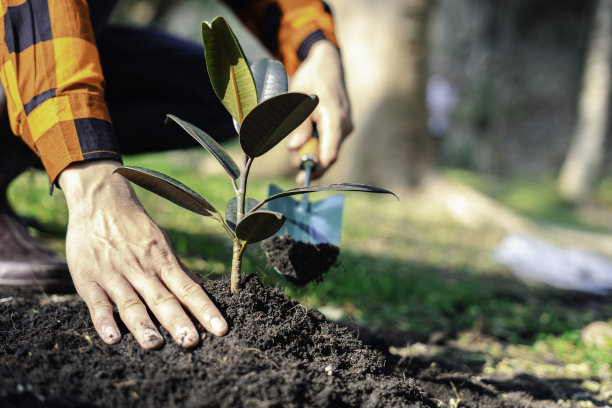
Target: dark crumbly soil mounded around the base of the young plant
(276, 354)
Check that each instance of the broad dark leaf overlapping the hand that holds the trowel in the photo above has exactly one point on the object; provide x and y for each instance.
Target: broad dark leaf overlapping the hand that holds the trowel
(273, 119)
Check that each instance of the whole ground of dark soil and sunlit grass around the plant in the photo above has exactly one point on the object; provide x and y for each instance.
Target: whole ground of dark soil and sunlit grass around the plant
(415, 298)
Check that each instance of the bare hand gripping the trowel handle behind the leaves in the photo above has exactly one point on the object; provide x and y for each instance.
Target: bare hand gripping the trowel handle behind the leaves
(321, 74)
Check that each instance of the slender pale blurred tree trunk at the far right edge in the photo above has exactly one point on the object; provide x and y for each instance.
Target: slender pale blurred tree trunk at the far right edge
(584, 159)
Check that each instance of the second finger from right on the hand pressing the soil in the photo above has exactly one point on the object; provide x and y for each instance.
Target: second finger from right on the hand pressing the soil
(167, 309)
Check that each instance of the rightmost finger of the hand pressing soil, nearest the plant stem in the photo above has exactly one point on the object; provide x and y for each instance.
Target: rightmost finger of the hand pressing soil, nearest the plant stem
(193, 297)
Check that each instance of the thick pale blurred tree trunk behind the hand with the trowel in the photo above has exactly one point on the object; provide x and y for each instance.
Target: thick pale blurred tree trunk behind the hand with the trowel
(384, 46)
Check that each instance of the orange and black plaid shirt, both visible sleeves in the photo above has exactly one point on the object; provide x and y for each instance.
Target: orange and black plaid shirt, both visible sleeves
(54, 83)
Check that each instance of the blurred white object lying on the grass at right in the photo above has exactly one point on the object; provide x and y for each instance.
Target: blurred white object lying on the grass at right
(537, 260)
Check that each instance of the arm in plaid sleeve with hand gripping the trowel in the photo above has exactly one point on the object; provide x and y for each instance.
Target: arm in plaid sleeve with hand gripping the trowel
(300, 33)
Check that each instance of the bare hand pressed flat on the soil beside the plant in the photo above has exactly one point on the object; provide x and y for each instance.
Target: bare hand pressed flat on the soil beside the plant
(115, 252)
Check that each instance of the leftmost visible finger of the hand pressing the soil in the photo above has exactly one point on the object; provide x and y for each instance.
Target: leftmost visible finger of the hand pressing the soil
(101, 312)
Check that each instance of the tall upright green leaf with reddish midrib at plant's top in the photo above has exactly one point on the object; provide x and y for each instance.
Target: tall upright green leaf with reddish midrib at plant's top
(228, 69)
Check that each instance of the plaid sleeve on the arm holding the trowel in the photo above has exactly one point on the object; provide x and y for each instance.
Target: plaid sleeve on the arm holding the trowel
(288, 28)
